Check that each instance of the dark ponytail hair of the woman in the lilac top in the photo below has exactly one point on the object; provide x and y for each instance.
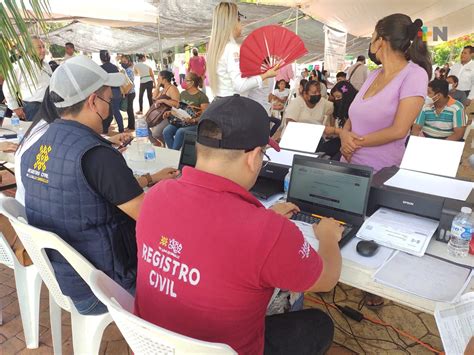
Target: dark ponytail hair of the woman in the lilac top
(404, 36)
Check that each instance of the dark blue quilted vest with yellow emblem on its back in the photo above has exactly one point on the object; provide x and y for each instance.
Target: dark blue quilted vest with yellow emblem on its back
(58, 198)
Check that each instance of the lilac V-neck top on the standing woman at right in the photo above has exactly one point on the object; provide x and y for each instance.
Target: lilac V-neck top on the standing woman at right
(378, 112)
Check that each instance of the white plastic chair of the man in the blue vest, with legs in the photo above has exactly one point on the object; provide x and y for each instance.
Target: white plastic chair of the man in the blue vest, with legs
(86, 330)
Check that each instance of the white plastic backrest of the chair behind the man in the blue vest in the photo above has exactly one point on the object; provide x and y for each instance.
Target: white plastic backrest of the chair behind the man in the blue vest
(36, 241)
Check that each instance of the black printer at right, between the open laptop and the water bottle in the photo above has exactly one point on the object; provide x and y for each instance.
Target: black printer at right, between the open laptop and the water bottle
(435, 207)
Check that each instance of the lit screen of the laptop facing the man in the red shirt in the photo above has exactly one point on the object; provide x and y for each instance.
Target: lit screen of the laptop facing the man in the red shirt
(329, 184)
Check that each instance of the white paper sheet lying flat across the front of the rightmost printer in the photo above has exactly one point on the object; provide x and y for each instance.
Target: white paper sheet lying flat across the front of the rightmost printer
(431, 184)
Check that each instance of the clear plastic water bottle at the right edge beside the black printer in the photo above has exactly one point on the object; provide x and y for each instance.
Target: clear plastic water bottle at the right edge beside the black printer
(461, 233)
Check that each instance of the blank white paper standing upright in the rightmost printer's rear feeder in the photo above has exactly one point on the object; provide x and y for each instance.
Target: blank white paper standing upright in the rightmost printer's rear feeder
(432, 156)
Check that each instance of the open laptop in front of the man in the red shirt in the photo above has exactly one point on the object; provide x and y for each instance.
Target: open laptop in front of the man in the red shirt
(327, 188)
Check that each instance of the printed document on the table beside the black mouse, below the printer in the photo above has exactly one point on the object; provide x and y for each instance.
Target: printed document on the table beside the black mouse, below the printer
(398, 230)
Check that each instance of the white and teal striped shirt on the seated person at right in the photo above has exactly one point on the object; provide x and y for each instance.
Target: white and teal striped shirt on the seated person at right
(442, 125)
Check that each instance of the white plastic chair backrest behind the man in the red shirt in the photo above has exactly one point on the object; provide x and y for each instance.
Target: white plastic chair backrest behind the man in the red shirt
(144, 337)
